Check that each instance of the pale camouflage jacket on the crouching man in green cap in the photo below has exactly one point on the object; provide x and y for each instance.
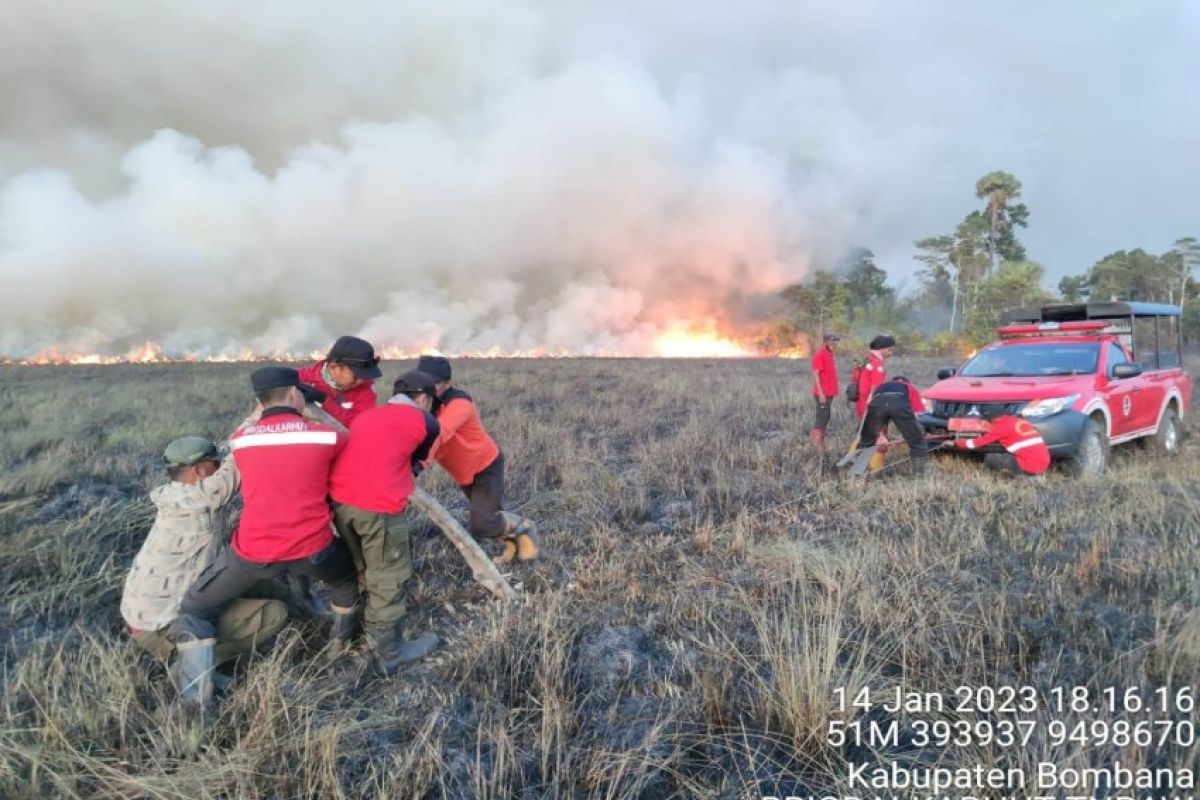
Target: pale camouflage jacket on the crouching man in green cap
(189, 531)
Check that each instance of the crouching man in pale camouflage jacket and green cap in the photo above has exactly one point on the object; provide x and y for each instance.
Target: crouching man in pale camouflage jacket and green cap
(188, 533)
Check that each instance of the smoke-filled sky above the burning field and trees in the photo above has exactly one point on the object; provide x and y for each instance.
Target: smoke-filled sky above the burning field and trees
(553, 178)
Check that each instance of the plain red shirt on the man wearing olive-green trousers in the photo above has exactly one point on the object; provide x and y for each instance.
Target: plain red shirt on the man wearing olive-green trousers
(375, 473)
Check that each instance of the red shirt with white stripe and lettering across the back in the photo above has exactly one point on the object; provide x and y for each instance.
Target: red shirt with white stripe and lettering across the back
(285, 464)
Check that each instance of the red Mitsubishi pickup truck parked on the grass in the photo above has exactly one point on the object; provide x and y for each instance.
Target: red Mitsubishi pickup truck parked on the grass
(1088, 376)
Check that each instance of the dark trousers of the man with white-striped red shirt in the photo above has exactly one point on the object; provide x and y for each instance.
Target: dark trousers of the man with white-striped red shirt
(231, 578)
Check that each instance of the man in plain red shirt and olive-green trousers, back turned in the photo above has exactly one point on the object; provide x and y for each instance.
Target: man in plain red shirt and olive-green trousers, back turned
(371, 484)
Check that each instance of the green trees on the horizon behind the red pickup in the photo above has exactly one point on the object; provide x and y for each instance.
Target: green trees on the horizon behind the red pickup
(969, 276)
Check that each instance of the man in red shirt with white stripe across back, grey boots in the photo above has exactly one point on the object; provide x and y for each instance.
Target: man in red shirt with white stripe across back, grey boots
(285, 462)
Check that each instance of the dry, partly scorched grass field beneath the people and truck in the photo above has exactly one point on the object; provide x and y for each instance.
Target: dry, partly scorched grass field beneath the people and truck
(705, 591)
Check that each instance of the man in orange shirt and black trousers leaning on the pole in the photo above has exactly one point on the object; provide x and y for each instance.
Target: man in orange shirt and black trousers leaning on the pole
(473, 460)
